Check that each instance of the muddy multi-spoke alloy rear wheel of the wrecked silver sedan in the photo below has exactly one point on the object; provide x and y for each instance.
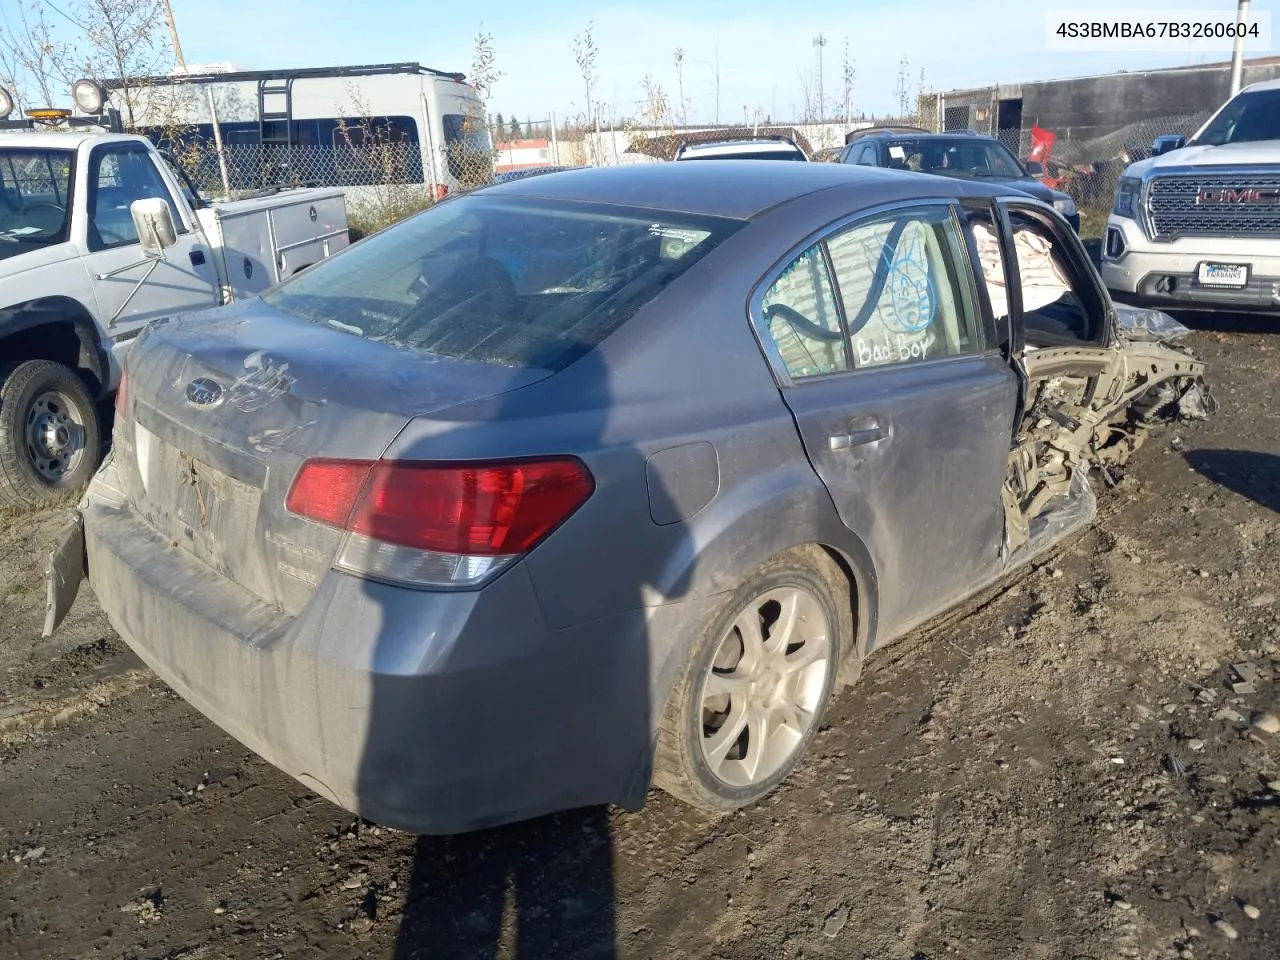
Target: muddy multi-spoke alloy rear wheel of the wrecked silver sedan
(756, 685)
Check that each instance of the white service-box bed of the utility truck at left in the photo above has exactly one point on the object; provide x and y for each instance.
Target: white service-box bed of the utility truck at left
(266, 240)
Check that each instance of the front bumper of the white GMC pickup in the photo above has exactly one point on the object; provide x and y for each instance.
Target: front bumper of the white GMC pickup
(1165, 275)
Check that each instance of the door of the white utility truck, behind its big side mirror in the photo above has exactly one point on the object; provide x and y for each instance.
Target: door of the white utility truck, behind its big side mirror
(186, 280)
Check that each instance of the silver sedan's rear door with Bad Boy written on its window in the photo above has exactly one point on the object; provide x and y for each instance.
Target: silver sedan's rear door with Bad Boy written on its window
(889, 363)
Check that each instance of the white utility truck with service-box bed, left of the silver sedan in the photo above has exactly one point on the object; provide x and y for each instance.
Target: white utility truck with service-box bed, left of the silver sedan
(100, 235)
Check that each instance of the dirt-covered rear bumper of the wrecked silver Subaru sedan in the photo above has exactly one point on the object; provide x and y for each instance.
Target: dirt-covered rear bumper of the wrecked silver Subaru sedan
(431, 712)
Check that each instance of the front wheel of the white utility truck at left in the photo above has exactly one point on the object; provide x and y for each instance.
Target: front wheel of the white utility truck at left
(51, 435)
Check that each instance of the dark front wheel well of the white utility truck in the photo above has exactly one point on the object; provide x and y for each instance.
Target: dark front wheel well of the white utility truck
(58, 330)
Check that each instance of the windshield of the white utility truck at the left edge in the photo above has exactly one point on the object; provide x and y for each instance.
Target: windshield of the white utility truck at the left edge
(35, 186)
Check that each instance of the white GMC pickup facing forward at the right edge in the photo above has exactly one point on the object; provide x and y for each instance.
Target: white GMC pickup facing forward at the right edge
(1197, 226)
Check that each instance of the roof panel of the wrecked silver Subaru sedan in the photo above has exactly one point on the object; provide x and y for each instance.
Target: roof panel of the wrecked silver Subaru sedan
(735, 190)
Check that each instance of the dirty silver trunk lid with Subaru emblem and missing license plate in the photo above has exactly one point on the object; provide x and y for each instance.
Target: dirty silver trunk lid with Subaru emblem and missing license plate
(225, 408)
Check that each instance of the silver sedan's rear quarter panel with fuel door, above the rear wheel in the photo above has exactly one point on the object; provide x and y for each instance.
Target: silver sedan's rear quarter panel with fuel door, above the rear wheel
(642, 410)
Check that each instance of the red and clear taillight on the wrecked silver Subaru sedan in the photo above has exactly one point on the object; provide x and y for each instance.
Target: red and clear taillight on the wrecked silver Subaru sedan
(438, 524)
